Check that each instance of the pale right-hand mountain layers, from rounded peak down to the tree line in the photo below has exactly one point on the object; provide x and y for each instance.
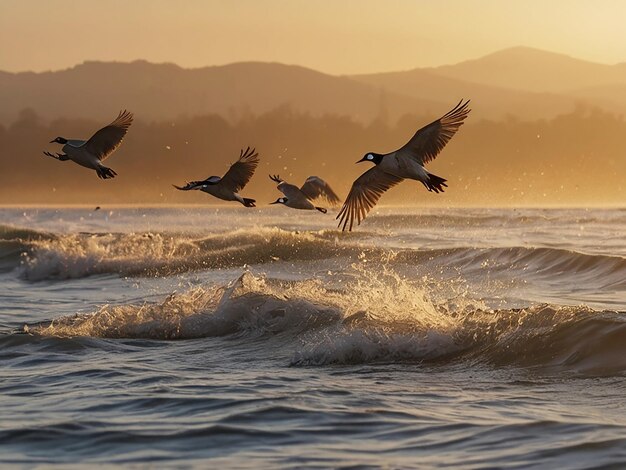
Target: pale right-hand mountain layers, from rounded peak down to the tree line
(522, 82)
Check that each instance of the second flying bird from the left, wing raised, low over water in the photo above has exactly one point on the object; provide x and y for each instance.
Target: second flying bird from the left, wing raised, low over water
(228, 186)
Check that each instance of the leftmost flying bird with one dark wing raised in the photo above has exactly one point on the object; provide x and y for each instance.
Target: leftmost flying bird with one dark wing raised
(91, 153)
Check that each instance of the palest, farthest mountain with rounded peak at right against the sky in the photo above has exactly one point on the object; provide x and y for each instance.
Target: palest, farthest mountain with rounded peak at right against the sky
(525, 68)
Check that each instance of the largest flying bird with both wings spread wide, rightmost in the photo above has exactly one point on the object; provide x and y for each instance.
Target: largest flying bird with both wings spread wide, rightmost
(405, 163)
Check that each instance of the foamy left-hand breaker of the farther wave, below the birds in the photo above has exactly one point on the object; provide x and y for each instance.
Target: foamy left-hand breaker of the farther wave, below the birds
(151, 254)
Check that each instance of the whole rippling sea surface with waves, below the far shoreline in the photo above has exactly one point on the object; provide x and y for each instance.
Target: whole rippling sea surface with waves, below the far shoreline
(265, 338)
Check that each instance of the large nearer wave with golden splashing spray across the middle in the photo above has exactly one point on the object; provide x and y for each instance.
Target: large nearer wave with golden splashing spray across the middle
(381, 318)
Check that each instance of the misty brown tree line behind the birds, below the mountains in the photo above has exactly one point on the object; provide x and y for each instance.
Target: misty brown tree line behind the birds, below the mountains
(577, 158)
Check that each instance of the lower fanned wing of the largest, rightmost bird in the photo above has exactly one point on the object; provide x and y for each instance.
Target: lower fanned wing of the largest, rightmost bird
(365, 192)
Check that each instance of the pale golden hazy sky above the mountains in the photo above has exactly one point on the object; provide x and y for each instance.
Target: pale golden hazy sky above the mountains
(332, 36)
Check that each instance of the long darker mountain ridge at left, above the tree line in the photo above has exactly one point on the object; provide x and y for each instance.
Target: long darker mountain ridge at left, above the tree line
(167, 91)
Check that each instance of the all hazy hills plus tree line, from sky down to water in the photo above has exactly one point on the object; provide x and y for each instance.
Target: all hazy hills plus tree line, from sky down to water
(533, 148)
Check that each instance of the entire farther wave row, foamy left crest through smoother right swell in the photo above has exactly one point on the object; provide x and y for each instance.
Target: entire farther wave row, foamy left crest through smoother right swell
(46, 257)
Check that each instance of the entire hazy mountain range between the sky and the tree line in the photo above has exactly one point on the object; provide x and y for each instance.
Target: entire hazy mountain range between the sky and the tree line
(519, 82)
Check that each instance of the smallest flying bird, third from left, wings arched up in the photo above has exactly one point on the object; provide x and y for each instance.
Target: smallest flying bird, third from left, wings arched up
(300, 198)
